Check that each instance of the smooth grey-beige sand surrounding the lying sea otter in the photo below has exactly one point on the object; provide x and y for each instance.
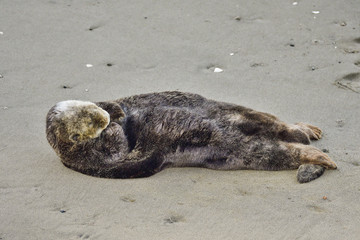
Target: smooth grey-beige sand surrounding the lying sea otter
(299, 61)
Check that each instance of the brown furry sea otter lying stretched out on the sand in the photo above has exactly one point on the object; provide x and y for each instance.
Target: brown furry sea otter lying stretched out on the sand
(140, 135)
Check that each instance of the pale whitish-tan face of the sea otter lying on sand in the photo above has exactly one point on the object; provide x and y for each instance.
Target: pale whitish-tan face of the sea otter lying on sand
(79, 121)
